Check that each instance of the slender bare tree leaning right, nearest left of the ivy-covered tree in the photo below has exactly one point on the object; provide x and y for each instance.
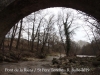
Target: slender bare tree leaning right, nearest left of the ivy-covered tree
(45, 37)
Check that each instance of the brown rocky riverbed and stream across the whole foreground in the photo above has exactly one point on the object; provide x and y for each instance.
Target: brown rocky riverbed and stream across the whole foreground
(52, 65)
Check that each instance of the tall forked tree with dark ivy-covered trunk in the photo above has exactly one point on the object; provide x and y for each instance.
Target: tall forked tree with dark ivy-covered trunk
(67, 22)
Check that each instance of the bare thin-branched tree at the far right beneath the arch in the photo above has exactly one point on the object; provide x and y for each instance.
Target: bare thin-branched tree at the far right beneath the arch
(94, 28)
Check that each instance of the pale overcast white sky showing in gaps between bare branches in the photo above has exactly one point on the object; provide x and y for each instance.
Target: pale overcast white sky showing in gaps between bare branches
(80, 32)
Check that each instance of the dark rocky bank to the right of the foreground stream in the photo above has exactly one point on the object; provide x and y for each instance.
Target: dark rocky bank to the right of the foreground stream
(78, 66)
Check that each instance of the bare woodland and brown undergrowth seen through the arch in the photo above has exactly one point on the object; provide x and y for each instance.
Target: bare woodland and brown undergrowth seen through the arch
(38, 35)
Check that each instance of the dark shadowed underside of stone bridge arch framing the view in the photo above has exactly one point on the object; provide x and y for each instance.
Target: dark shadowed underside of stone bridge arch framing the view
(11, 11)
